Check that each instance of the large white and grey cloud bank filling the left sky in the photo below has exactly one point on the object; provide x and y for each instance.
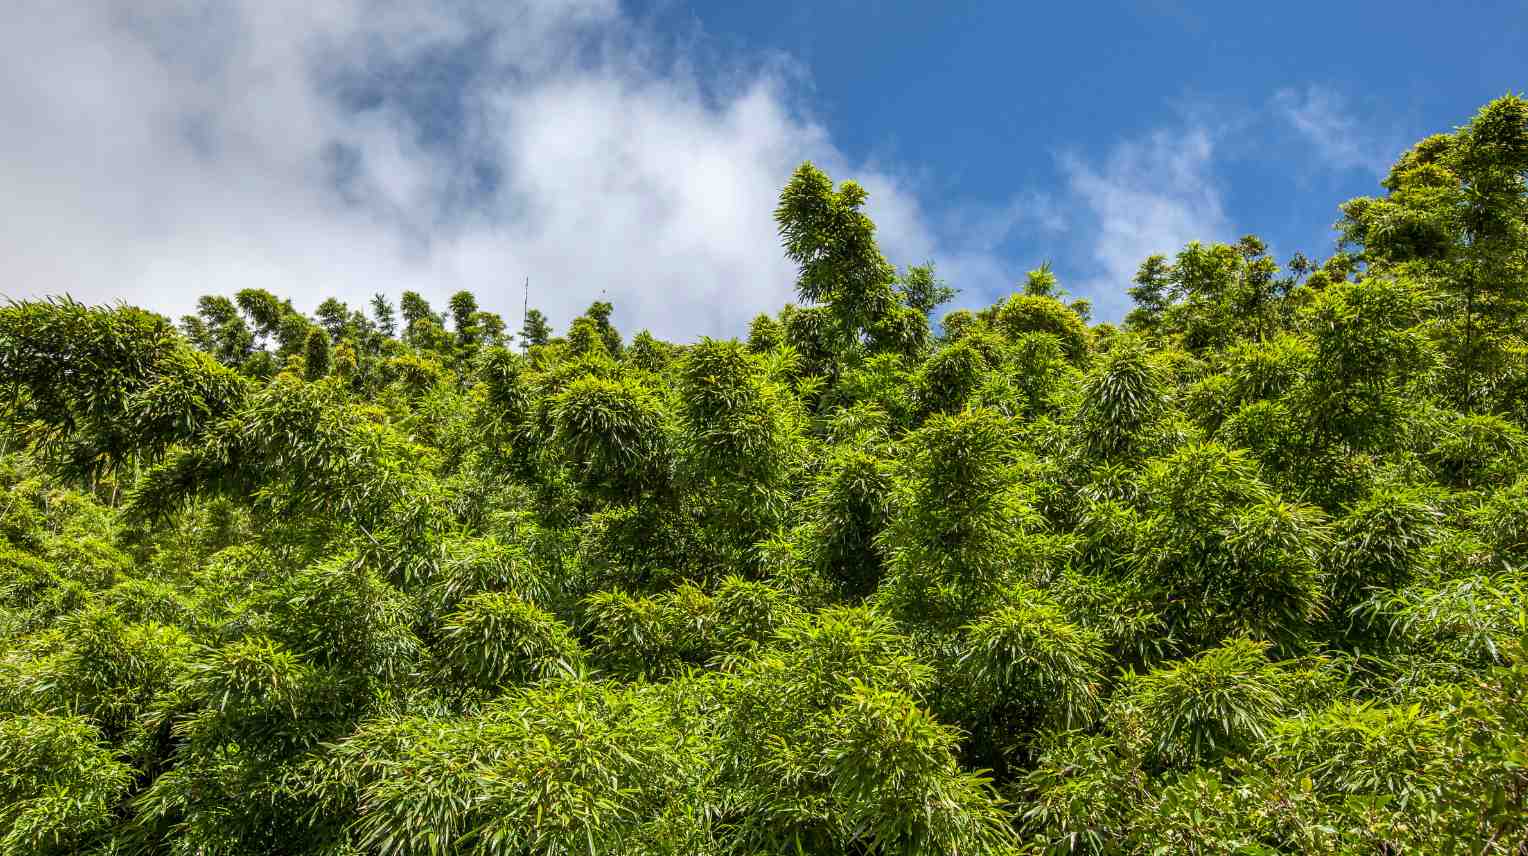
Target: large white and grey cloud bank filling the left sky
(167, 149)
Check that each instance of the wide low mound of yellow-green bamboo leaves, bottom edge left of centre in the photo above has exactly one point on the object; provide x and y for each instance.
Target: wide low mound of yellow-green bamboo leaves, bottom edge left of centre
(563, 770)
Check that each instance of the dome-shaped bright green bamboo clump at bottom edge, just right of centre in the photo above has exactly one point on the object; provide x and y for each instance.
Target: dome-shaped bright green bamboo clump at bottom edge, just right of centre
(827, 748)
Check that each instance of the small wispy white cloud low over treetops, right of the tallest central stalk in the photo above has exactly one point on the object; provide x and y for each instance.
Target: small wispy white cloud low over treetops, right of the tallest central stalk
(1148, 196)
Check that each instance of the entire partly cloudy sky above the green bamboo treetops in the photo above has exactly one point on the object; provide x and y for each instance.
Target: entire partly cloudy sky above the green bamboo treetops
(161, 151)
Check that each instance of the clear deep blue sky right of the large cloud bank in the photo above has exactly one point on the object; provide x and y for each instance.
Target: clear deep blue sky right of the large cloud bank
(1306, 103)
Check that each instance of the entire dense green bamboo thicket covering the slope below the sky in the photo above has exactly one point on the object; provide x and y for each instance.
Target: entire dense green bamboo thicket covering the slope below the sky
(1241, 574)
